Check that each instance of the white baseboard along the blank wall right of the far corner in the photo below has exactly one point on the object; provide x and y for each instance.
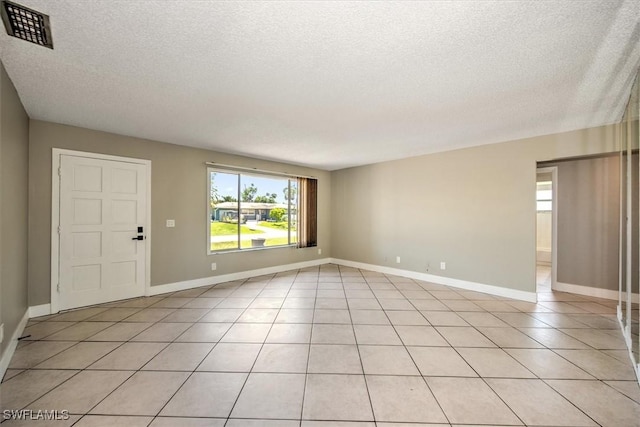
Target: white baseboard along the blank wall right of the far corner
(447, 281)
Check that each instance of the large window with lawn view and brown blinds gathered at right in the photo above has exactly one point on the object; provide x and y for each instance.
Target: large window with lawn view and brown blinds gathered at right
(252, 210)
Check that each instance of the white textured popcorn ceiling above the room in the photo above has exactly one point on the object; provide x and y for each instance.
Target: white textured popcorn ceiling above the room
(329, 84)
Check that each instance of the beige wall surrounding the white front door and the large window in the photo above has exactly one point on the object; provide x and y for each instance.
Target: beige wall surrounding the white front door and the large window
(179, 191)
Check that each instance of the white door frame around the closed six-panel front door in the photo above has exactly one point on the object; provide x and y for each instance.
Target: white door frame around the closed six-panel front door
(55, 216)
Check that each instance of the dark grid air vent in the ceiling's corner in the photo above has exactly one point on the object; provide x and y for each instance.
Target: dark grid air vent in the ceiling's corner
(26, 24)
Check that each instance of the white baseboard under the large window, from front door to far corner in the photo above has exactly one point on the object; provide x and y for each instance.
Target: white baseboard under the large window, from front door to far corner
(214, 280)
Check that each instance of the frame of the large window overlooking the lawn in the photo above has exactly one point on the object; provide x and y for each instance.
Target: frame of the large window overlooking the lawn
(291, 207)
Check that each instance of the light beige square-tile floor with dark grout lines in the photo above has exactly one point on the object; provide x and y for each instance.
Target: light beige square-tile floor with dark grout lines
(328, 346)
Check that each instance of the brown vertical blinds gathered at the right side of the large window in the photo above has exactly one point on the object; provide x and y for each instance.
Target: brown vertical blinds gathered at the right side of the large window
(307, 212)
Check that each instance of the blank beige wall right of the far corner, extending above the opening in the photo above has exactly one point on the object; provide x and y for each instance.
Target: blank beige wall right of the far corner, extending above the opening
(472, 208)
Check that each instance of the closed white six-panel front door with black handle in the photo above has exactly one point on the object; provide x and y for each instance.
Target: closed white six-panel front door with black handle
(103, 211)
